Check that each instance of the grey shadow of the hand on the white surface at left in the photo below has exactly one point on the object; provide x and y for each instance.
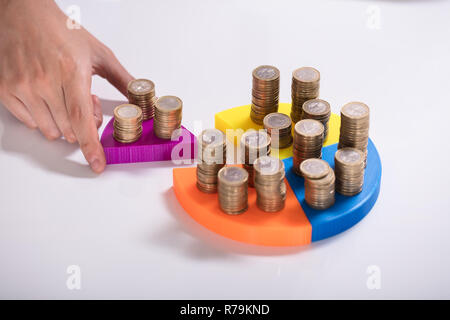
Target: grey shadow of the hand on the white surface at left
(32, 145)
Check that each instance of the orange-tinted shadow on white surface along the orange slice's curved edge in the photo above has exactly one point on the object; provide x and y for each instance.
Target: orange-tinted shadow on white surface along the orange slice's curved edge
(205, 244)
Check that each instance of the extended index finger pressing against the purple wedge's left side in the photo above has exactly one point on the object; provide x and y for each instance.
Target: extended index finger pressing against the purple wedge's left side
(81, 115)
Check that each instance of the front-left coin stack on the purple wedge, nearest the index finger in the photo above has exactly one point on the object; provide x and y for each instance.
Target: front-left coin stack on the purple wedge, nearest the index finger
(127, 123)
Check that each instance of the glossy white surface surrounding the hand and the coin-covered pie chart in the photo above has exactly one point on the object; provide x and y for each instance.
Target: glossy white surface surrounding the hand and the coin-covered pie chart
(125, 228)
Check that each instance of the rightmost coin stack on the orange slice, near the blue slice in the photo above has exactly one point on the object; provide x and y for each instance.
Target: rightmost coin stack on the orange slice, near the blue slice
(269, 183)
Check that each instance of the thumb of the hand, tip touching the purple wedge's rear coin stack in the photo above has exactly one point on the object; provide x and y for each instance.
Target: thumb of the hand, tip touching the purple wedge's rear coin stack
(107, 66)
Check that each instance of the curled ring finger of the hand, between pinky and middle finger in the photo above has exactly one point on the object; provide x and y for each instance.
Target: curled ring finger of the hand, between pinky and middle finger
(40, 113)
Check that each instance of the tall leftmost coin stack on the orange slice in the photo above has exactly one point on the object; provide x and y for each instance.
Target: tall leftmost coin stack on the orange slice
(212, 145)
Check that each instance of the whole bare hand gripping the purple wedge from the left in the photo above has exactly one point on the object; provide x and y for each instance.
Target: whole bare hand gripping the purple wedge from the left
(46, 71)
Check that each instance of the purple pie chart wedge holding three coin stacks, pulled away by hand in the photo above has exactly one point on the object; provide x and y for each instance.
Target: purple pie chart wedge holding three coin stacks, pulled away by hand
(149, 147)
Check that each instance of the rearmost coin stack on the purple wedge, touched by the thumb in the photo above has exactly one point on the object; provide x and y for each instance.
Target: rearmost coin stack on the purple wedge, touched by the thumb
(141, 92)
